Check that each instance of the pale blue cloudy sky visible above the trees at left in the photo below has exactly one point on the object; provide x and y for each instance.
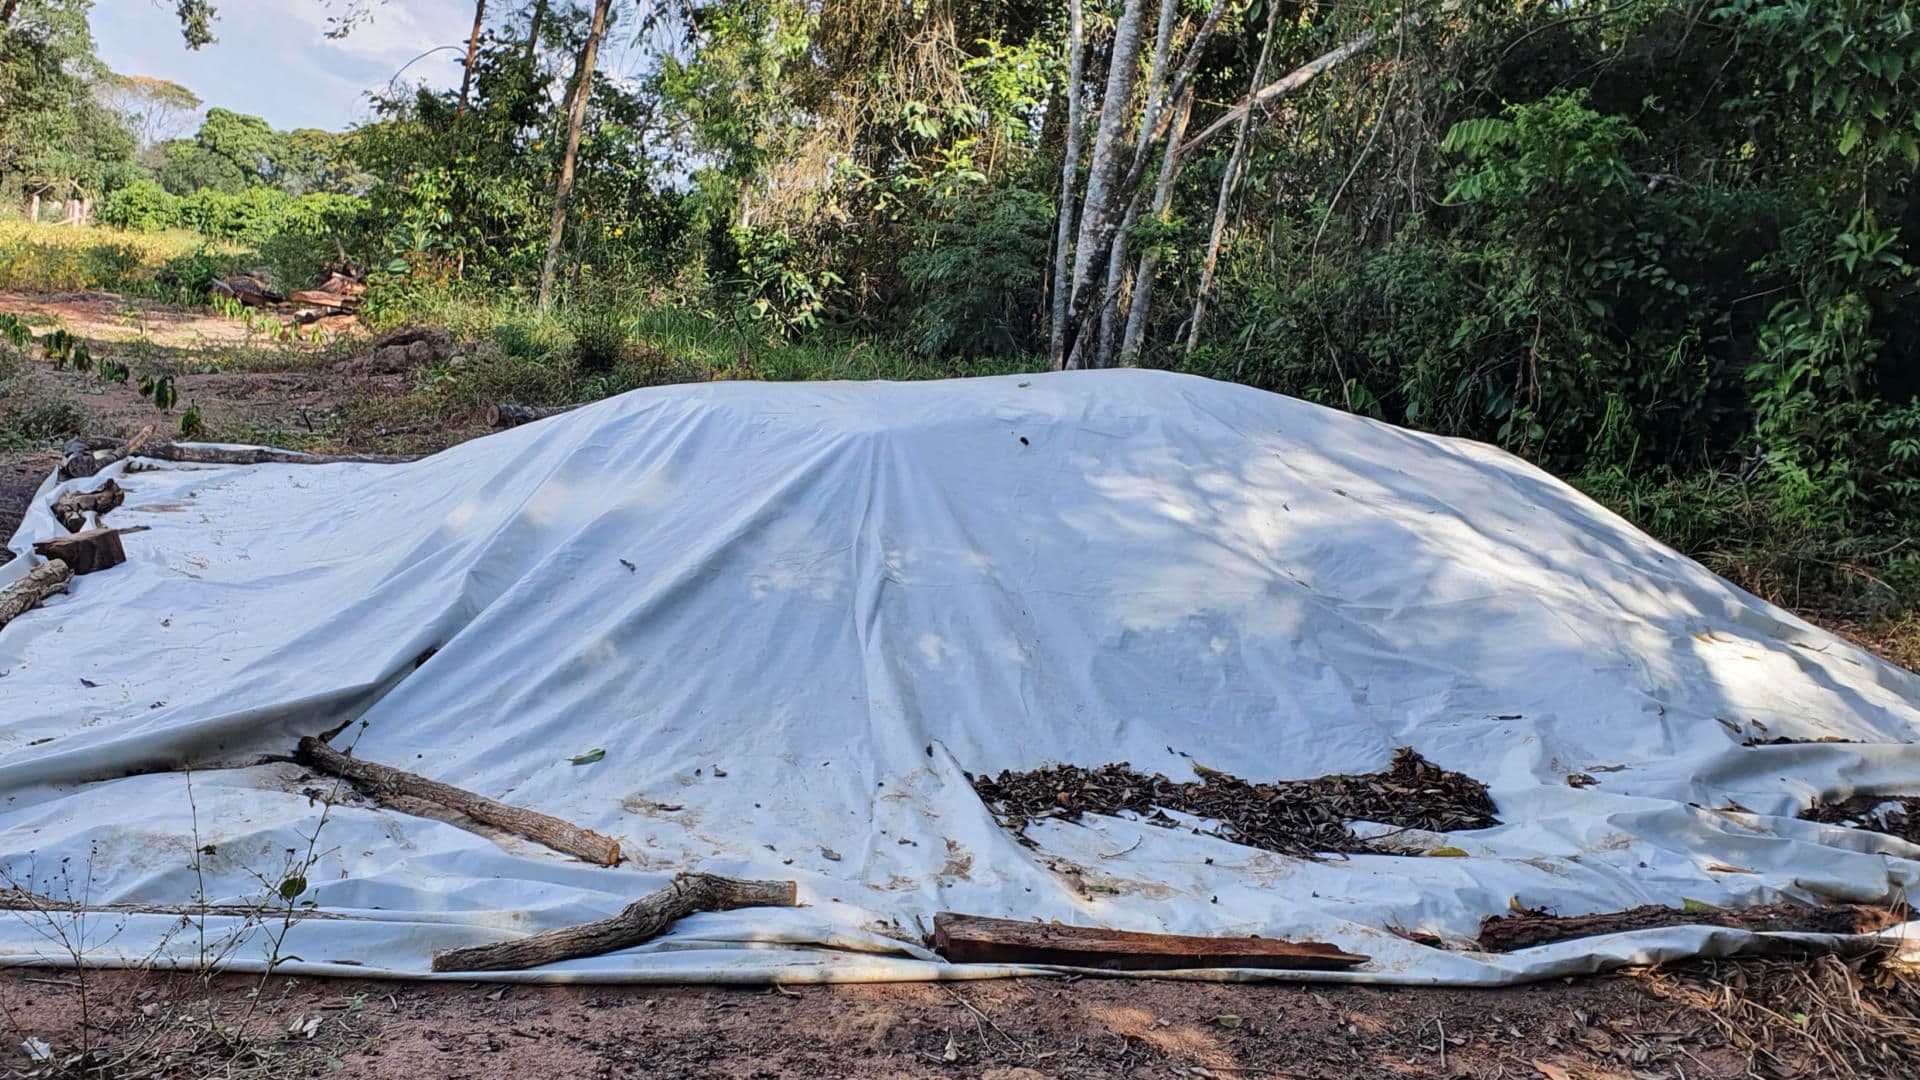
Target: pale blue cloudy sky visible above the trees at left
(274, 59)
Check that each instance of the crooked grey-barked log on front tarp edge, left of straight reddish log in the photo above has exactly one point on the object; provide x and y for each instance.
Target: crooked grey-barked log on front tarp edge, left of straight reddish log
(640, 921)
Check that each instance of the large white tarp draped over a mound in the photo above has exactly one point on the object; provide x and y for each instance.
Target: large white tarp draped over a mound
(798, 618)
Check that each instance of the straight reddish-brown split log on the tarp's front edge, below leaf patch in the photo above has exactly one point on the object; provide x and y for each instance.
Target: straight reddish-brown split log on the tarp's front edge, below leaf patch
(972, 939)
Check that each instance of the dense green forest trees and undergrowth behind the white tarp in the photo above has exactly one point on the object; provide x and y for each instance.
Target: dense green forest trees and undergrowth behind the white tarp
(1662, 247)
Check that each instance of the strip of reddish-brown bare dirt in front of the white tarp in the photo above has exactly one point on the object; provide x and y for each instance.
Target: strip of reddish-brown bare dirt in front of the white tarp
(1621, 1029)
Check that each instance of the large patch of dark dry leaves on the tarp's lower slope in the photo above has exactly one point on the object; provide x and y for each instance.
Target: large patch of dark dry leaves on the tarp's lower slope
(1293, 818)
